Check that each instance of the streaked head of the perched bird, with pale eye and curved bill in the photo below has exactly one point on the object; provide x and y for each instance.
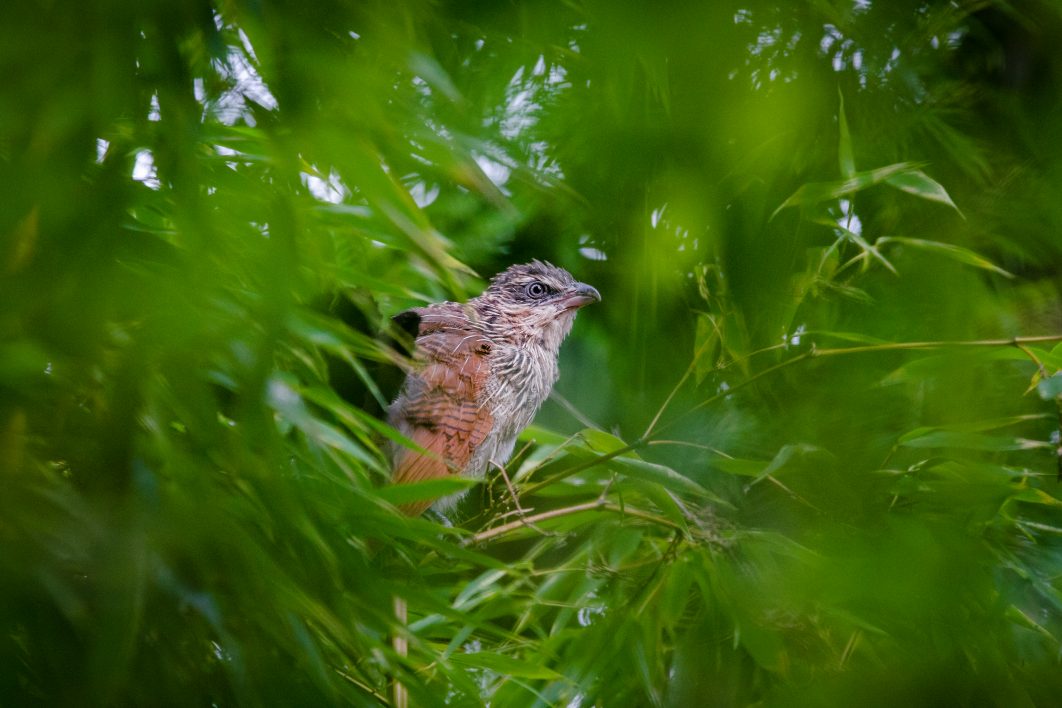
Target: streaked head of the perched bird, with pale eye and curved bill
(539, 301)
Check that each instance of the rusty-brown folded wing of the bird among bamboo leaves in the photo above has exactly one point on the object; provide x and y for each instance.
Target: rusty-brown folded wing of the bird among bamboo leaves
(441, 407)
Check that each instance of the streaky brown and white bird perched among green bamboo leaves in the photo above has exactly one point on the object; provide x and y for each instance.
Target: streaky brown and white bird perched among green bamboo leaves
(481, 371)
